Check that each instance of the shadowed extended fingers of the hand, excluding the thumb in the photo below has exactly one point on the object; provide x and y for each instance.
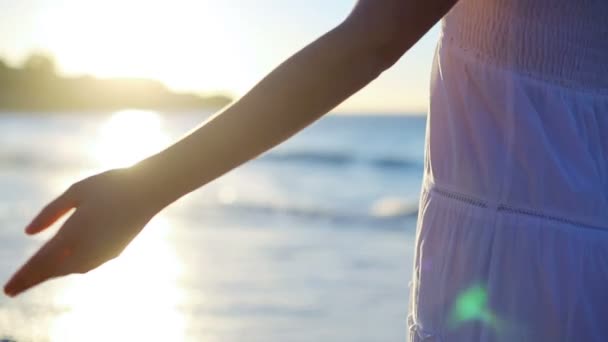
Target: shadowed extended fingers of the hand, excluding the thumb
(48, 262)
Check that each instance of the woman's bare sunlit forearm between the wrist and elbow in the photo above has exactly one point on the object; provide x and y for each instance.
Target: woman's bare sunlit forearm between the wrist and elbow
(302, 89)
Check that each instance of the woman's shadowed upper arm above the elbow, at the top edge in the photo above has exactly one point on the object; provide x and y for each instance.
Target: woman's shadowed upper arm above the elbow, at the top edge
(390, 27)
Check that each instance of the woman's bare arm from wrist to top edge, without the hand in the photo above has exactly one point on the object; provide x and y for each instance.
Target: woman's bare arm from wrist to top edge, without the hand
(299, 91)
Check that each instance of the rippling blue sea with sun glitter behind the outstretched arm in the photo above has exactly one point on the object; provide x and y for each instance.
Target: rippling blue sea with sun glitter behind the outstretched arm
(311, 241)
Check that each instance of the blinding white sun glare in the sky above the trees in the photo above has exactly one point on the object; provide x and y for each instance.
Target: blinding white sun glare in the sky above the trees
(185, 44)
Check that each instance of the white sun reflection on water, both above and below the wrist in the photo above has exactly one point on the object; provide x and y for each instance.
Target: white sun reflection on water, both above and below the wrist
(136, 297)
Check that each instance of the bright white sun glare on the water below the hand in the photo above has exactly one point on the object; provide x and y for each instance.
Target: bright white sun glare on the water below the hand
(133, 298)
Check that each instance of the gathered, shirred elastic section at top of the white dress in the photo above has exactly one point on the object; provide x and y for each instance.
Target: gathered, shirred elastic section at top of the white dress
(561, 41)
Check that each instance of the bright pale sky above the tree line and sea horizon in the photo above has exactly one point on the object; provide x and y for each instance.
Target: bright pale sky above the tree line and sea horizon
(203, 46)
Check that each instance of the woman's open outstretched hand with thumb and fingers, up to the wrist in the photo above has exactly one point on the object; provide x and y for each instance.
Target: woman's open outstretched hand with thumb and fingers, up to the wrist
(111, 209)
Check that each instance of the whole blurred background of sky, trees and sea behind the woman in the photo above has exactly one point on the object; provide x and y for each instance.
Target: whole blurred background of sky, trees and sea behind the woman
(312, 241)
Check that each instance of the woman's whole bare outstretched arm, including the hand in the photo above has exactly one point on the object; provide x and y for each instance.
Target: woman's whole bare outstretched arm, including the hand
(111, 208)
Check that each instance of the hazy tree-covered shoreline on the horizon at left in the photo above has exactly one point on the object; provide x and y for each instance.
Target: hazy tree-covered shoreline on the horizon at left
(35, 86)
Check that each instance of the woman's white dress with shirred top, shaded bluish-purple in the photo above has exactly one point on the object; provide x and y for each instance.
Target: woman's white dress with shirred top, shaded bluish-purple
(512, 235)
